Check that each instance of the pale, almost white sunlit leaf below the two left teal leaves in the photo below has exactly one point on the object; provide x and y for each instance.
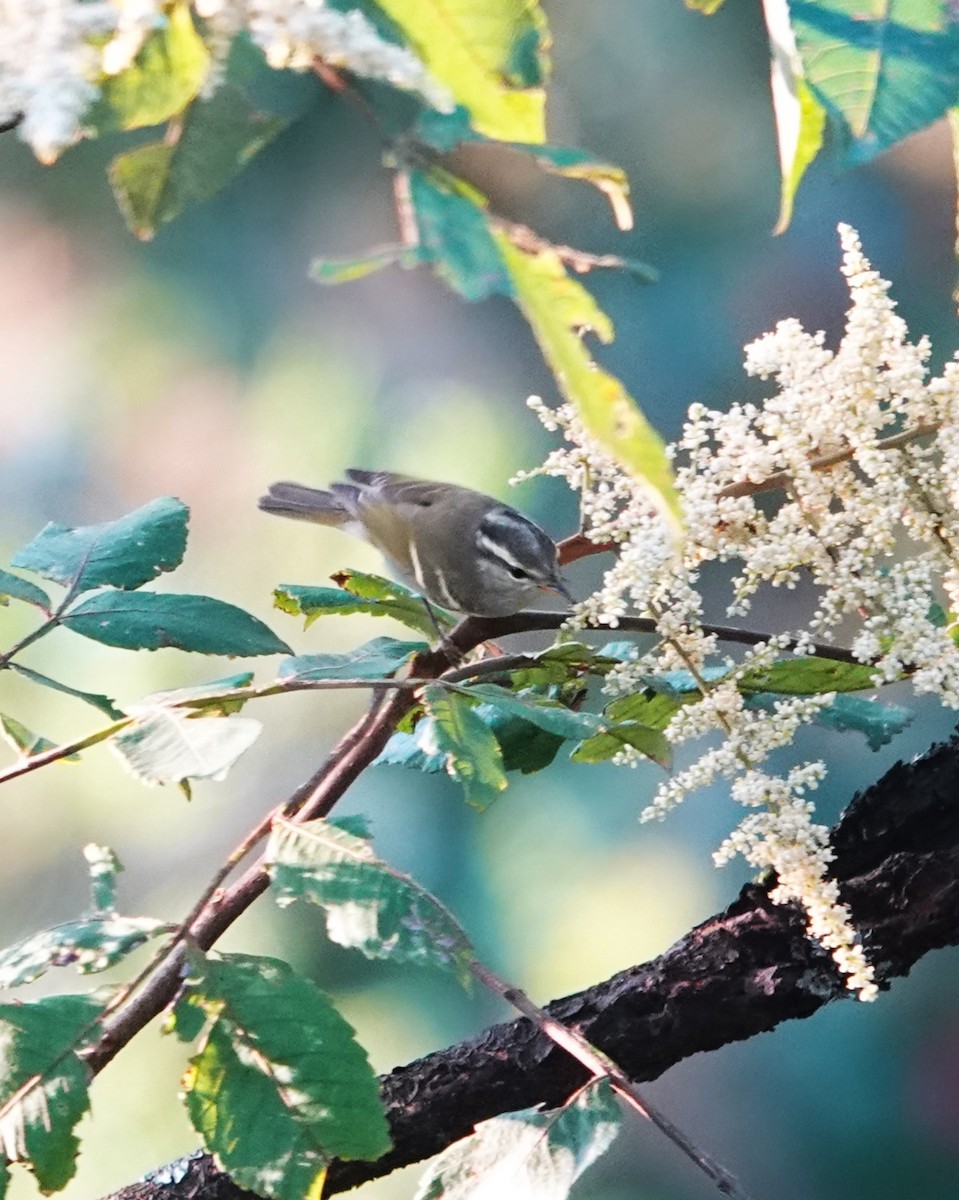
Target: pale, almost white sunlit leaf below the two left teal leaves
(169, 746)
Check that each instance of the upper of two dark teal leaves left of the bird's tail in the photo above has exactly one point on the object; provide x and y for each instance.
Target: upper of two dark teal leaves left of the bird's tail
(123, 554)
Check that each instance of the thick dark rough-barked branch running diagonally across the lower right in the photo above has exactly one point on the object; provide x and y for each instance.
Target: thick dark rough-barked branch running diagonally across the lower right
(738, 975)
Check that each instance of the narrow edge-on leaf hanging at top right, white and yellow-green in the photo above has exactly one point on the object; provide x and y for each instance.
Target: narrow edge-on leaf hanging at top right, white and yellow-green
(800, 118)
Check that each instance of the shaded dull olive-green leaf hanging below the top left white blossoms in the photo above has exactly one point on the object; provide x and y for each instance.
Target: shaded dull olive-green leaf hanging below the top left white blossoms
(217, 139)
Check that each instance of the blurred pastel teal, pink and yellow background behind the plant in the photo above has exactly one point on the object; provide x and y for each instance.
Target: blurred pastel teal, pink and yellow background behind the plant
(206, 365)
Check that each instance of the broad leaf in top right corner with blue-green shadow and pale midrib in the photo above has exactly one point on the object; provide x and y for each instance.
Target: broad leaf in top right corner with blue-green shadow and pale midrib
(882, 69)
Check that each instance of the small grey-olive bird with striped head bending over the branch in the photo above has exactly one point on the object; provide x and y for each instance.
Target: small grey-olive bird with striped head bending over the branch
(460, 549)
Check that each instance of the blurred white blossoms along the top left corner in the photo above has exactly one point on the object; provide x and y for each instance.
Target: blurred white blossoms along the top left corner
(56, 55)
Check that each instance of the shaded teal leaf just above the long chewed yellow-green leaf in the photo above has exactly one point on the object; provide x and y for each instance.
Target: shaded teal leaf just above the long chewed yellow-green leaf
(454, 236)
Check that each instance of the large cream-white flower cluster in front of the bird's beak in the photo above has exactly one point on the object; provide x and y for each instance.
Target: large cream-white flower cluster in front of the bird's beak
(861, 452)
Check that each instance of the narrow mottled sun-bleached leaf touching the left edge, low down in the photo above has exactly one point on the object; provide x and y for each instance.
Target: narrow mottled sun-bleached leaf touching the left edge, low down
(89, 944)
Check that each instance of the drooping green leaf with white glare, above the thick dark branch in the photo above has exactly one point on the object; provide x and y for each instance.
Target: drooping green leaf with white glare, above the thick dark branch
(369, 907)
